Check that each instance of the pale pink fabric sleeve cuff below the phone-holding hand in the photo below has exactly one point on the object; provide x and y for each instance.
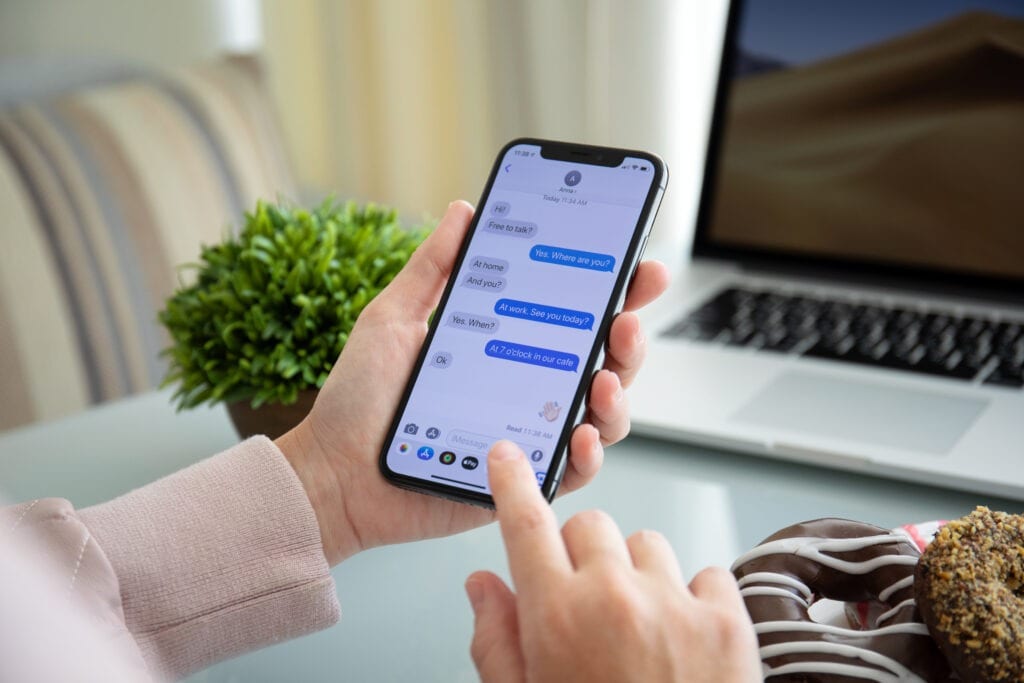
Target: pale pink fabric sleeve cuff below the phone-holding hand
(219, 560)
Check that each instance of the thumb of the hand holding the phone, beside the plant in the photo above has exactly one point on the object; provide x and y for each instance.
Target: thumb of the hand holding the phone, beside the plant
(417, 289)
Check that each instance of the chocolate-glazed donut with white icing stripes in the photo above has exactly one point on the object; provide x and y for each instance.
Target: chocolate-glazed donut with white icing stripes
(842, 561)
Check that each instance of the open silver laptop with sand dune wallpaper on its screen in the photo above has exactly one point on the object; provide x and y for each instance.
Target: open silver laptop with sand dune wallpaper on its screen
(855, 296)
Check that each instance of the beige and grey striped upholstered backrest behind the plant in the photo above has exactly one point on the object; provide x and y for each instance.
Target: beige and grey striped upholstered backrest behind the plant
(104, 192)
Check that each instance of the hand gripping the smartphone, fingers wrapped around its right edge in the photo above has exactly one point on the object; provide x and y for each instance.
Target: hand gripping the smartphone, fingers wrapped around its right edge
(335, 449)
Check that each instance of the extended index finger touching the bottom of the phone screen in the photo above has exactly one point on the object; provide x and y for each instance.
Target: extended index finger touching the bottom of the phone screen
(530, 530)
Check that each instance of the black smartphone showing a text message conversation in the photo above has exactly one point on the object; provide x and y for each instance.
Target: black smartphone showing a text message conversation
(523, 323)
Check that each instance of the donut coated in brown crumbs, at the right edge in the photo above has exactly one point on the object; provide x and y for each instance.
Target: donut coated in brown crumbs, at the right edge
(969, 585)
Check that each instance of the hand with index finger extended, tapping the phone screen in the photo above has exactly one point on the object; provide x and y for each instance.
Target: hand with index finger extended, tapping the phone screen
(592, 607)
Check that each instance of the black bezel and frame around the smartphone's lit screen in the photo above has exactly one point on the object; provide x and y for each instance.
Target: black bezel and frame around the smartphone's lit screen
(559, 151)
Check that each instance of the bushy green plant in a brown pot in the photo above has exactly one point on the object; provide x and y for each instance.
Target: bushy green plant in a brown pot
(271, 310)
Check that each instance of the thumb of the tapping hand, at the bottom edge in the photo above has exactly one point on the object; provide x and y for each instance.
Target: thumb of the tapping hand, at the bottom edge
(496, 650)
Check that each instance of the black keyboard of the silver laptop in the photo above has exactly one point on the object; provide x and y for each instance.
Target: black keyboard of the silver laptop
(862, 332)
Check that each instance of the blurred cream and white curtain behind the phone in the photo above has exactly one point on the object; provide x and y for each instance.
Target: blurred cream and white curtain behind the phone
(407, 102)
